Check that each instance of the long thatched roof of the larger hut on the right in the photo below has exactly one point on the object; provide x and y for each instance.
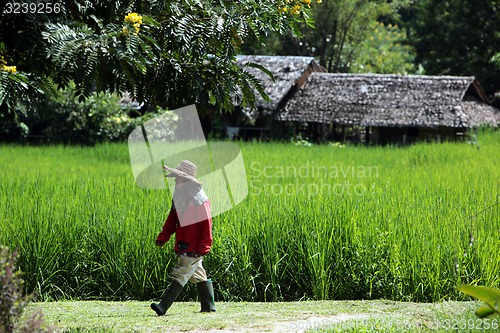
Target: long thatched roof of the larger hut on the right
(386, 100)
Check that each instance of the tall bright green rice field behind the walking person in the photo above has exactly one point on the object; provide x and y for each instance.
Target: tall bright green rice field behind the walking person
(320, 222)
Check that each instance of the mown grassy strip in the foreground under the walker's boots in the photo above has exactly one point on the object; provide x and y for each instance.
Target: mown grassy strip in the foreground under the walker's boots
(310, 316)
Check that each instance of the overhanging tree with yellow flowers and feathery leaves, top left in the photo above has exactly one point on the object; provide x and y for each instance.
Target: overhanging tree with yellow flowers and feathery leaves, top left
(166, 53)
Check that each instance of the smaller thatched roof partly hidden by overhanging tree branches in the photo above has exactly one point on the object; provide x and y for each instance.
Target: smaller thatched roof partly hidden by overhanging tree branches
(286, 71)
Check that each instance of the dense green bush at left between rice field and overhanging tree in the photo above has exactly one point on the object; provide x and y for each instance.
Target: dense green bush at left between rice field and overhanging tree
(67, 119)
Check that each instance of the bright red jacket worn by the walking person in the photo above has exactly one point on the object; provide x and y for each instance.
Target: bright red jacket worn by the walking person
(196, 237)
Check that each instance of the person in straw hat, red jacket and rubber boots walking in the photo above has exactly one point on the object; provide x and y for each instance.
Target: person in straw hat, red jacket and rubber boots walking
(190, 219)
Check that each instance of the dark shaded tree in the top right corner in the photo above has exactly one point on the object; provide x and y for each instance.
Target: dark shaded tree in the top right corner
(458, 37)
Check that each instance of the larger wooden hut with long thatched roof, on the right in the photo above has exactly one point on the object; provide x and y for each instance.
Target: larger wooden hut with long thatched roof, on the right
(389, 108)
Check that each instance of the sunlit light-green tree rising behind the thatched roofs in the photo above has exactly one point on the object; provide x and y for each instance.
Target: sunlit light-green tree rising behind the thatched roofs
(341, 37)
